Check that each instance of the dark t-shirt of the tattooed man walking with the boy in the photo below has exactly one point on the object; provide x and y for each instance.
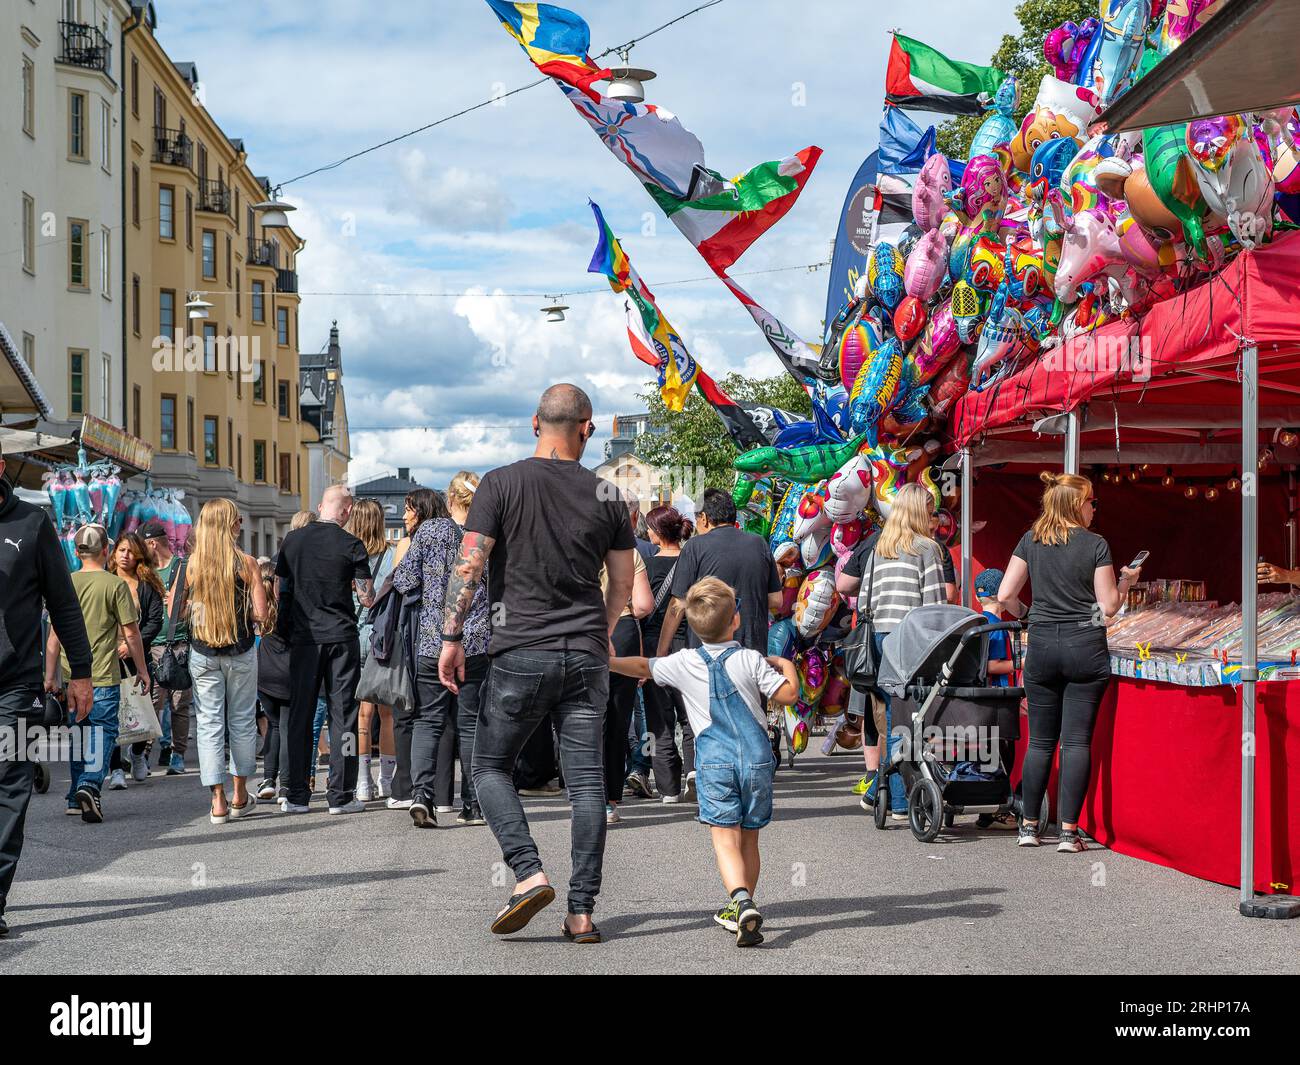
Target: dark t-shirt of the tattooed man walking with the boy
(553, 523)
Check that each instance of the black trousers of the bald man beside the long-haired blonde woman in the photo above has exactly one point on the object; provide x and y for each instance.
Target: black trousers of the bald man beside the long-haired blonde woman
(333, 672)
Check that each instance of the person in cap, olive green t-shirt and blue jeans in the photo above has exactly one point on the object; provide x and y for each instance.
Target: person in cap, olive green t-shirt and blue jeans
(110, 614)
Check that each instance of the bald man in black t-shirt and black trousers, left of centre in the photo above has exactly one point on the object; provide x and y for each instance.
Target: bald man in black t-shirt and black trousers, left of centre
(318, 568)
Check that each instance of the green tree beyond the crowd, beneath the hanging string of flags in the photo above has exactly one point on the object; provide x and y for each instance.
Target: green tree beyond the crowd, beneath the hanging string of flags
(695, 440)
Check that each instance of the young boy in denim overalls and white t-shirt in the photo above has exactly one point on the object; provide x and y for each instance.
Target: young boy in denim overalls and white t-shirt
(725, 689)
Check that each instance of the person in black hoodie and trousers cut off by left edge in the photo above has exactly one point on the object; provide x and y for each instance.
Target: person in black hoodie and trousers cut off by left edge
(33, 572)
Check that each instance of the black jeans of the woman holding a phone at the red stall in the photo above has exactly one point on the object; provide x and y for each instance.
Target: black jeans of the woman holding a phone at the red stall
(1067, 673)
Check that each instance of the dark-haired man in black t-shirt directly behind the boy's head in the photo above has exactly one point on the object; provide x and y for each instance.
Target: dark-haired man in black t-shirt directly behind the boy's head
(740, 560)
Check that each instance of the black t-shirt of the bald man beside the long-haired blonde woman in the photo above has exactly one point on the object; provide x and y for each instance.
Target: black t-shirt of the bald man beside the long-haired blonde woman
(318, 565)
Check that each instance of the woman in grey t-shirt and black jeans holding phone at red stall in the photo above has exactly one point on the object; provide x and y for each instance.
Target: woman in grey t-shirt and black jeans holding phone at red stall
(1068, 668)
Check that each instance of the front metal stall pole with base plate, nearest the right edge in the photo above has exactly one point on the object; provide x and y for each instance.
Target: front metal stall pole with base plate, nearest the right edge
(1253, 904)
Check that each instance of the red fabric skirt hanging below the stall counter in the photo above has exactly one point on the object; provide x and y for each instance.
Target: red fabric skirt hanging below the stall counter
(1167, 780)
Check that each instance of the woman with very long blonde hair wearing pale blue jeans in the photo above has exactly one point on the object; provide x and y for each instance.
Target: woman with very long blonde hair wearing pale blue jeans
(226, 601)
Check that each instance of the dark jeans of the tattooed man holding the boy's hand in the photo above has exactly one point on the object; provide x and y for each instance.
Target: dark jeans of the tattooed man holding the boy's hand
(525, 687)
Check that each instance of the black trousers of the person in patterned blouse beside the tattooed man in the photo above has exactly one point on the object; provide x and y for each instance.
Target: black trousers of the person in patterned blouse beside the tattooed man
(439, 713)
